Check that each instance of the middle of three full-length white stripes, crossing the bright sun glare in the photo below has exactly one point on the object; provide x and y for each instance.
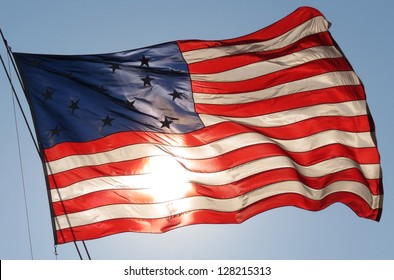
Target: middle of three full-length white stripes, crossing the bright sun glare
(183, 177)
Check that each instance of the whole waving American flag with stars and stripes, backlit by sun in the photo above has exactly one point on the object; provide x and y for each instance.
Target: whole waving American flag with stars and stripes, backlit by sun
(193, 131)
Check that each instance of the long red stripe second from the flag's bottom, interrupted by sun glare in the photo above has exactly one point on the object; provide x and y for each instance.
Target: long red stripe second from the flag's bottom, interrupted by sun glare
(128, 196)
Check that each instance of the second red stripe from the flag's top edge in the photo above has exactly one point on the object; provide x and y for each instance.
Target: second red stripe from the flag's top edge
(222, 64)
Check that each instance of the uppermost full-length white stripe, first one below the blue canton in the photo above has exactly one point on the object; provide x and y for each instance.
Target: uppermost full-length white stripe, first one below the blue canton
(210, 150)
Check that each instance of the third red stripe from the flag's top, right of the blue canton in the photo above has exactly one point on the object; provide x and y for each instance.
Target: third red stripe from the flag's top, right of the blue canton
(303, 71)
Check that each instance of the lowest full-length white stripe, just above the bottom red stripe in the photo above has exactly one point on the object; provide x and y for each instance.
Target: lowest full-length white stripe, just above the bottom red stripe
(176, 207)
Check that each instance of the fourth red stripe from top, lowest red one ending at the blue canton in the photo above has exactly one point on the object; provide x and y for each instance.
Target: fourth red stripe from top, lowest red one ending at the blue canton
(292, 101)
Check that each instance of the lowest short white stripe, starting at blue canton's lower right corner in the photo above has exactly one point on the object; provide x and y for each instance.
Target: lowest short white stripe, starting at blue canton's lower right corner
(345, 109)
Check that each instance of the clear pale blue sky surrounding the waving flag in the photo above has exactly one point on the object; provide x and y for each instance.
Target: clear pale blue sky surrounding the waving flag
(362, 28)
